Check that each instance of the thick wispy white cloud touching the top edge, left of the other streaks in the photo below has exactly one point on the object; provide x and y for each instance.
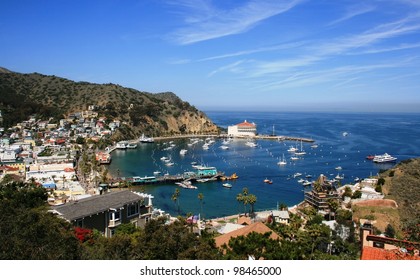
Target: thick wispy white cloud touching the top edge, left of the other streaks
(205, 22)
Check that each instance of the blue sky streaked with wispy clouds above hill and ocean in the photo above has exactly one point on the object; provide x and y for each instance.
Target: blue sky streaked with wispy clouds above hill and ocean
(279, 55)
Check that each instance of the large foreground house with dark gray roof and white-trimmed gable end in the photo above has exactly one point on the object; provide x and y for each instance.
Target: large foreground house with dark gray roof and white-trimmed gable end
(108, 211)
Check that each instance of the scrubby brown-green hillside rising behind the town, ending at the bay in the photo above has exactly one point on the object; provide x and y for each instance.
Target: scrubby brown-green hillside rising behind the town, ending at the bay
(160, 114)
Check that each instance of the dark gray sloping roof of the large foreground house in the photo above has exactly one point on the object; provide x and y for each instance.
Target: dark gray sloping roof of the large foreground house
(96, 204)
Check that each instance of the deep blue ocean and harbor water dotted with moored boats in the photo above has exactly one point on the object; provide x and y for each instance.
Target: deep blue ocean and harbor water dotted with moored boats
(343, 140)
